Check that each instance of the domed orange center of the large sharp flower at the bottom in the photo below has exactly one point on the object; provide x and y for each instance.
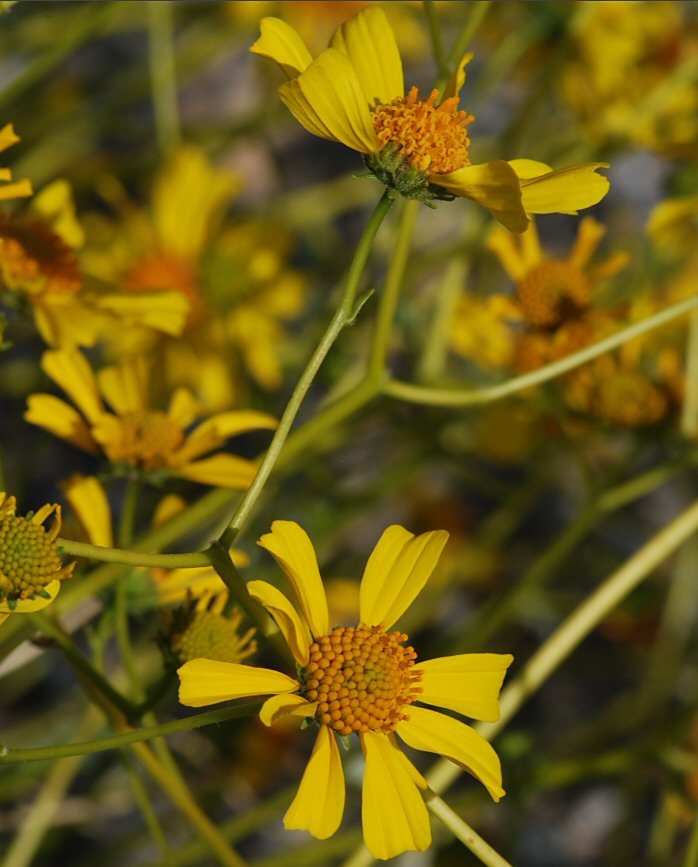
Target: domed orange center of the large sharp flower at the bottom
(361, 677)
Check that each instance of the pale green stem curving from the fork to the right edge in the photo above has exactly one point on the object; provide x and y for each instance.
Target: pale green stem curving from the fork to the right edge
(471, 397)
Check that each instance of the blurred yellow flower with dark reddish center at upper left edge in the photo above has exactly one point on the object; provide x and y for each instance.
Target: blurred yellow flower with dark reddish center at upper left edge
(39, 268)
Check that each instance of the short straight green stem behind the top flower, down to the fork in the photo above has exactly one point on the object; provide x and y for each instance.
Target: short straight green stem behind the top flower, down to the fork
(393, 284)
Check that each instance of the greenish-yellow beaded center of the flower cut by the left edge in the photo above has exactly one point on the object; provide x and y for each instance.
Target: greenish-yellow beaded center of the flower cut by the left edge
(28, 558)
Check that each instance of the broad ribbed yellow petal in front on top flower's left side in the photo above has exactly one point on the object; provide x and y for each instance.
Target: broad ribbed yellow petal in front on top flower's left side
(328, 100)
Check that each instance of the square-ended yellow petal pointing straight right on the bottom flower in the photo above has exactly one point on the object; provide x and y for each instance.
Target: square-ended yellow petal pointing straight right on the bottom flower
(468, 683)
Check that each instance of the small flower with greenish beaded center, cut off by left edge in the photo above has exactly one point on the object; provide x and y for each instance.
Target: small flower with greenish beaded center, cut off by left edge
(30, 567)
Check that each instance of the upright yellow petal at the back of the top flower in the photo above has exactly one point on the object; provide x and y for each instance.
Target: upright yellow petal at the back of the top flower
(368, 41)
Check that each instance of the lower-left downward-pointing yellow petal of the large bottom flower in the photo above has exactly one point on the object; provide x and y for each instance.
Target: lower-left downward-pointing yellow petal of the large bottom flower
(319, 802)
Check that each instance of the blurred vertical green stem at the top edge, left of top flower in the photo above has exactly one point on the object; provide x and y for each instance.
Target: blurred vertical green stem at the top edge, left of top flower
(163, 78)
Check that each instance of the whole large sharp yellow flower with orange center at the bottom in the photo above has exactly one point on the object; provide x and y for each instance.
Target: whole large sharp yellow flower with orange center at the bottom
(364, 680)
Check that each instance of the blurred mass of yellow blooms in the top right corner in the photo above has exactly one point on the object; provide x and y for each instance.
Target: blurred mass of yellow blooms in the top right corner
(634, 73)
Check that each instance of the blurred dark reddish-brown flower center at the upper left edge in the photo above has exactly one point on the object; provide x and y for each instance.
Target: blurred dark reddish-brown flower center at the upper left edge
(34, 258)
